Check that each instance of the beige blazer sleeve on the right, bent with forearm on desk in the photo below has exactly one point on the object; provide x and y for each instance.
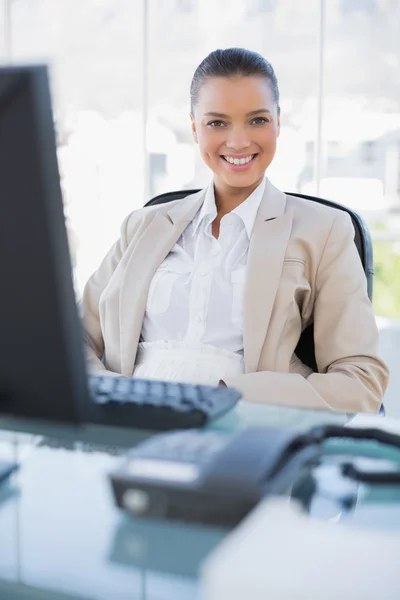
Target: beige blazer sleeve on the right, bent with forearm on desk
(351, 376)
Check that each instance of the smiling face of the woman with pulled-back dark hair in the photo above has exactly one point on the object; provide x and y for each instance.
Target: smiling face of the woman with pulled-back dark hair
(236, 125)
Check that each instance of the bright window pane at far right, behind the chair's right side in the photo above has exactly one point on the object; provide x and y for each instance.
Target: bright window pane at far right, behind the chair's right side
(362, 109)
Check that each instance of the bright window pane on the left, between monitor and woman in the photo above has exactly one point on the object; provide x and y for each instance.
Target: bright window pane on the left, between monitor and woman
(96, 78)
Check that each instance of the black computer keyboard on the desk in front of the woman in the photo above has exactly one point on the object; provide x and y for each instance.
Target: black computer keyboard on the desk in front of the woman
(158, 405)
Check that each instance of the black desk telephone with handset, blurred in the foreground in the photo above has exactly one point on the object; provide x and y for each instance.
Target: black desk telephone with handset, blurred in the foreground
(217, 478)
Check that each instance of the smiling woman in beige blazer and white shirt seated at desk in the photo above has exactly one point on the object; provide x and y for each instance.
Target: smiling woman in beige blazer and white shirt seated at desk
(217, 288)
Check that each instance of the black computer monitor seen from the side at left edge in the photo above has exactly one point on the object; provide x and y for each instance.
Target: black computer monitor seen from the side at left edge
(42, 367)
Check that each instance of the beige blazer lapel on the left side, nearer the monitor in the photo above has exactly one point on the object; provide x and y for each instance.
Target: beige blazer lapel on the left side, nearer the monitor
(155, 243)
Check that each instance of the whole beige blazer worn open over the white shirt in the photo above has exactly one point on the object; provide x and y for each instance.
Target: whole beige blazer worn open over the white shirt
(303, 266)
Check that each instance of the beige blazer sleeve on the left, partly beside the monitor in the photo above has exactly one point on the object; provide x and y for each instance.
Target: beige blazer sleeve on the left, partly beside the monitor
(89, 304)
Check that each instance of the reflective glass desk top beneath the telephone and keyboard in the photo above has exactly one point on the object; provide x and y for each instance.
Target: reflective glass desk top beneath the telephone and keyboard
(61, 537)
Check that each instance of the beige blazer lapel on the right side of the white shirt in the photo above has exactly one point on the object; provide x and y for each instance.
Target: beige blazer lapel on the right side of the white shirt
(267, 250)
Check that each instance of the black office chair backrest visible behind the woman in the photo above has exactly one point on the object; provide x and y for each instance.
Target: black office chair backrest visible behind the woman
(305, 349)
